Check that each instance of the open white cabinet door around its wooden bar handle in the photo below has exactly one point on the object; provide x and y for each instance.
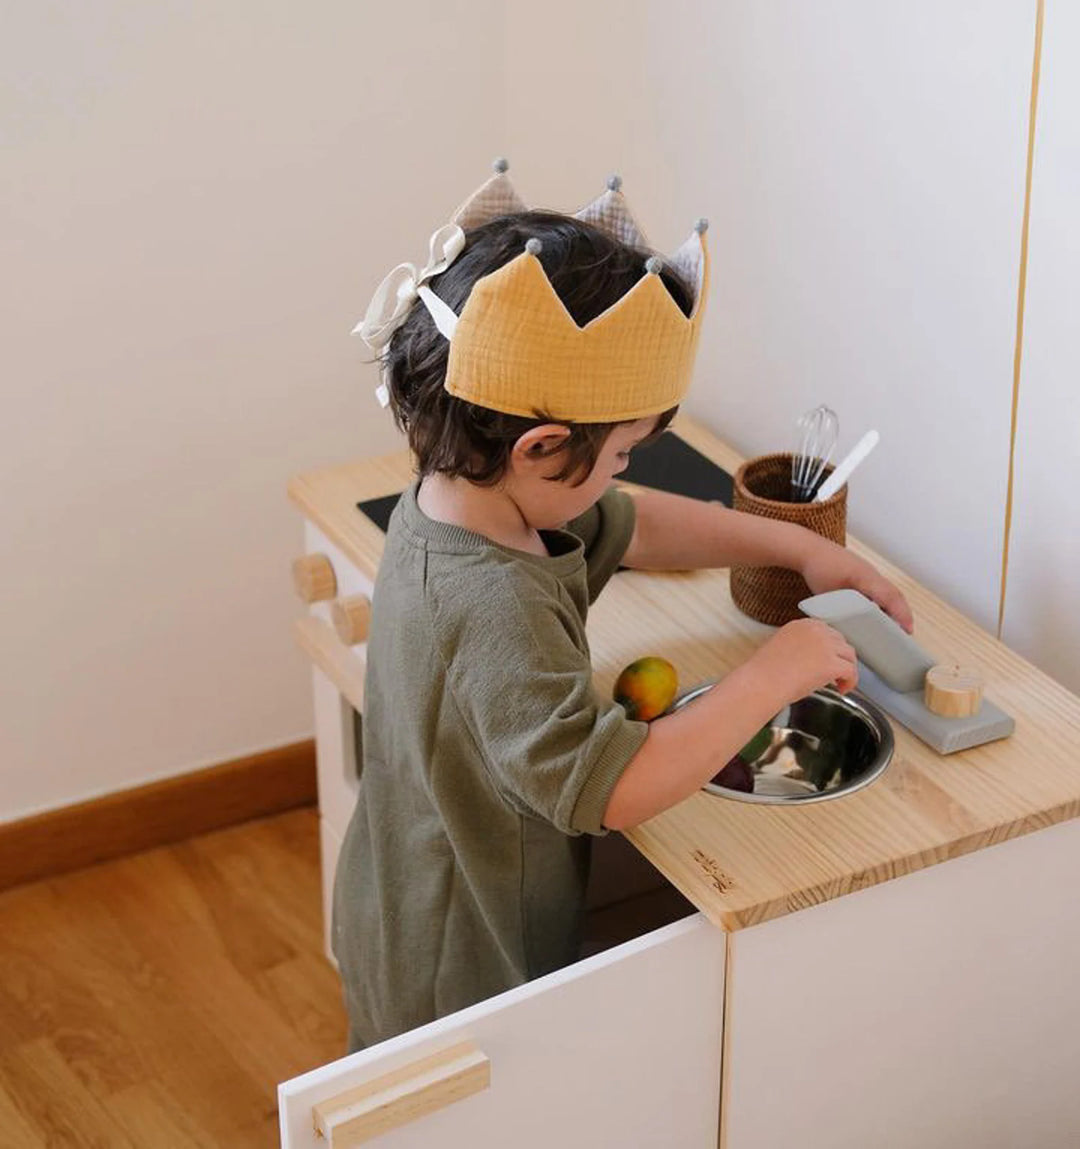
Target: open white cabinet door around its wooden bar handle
(621, 1050)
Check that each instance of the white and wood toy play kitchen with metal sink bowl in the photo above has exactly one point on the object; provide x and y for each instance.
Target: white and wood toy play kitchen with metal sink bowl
(812, 997)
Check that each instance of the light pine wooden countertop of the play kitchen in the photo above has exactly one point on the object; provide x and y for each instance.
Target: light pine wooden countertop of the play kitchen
(743, 863)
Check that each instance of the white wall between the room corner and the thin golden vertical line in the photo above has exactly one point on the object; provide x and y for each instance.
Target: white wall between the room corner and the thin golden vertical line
(862, 164)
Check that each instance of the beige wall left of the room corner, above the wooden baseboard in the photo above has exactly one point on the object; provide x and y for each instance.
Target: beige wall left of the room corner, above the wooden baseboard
(196, 204)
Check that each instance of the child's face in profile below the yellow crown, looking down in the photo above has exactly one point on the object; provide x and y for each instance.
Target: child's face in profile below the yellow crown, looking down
(549, 505)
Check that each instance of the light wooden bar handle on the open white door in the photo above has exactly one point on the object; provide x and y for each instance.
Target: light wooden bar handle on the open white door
(403, 1096)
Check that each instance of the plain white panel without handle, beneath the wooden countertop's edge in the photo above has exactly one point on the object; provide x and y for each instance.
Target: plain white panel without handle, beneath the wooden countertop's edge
(936, 1012)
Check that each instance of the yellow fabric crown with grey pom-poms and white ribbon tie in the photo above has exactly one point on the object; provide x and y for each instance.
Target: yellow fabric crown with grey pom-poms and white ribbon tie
(516, 349)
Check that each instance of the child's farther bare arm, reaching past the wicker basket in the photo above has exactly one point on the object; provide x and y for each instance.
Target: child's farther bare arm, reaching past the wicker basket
(673, 533)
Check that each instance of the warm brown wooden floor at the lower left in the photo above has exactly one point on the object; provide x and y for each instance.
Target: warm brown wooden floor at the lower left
(157, 1001)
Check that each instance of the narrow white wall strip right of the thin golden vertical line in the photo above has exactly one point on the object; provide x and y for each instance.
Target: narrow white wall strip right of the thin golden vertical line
(1044, 587)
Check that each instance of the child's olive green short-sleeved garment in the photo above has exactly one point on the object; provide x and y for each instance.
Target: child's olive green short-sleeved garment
(488, 761)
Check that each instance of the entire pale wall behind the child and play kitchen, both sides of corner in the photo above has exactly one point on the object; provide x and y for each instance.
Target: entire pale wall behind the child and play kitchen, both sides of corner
(197, 204)
